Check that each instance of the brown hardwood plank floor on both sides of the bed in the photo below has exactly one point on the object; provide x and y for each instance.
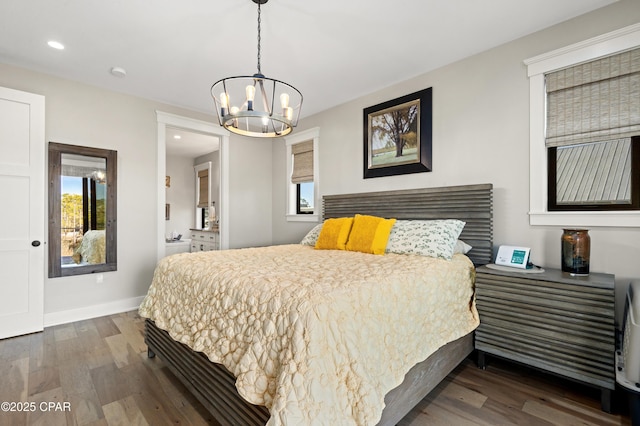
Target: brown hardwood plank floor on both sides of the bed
(96, 372)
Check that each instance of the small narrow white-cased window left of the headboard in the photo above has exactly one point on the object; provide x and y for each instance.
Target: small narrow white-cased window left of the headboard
(302, 175)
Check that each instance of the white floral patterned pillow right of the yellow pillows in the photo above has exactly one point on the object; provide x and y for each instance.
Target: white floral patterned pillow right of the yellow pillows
(433, 238)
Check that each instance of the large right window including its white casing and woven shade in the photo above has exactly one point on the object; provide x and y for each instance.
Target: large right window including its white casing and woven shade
(585, 123)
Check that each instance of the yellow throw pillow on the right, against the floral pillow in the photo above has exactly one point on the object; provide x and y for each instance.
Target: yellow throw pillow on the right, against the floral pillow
(369, 234)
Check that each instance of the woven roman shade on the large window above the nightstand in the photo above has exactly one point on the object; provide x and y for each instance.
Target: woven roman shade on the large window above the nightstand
(594, 101)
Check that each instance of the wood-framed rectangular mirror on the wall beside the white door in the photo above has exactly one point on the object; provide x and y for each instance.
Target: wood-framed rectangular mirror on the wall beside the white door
(82, 210)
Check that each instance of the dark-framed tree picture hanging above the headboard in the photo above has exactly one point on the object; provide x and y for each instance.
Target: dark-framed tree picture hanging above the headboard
(397, 136)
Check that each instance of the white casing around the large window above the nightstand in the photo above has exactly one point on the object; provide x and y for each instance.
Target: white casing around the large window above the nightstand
(540, 212)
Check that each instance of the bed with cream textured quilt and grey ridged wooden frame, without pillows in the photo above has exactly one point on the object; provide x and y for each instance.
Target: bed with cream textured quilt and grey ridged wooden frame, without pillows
(293, 381)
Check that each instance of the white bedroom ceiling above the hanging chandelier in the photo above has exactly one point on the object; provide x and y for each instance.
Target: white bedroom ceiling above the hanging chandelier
(331, 50)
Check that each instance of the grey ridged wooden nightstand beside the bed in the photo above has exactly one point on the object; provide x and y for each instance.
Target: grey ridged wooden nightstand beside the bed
(551, 321)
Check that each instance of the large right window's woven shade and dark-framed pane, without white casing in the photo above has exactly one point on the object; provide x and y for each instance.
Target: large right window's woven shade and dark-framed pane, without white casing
(593, 111)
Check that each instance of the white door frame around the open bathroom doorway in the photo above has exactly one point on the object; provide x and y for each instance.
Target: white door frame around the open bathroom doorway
(190, 124)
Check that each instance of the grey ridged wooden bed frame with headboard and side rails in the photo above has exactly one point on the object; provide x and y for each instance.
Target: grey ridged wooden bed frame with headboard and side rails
(215, 387)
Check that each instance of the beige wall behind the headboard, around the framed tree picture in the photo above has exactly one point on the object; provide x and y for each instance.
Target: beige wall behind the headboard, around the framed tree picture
(480, 134)
